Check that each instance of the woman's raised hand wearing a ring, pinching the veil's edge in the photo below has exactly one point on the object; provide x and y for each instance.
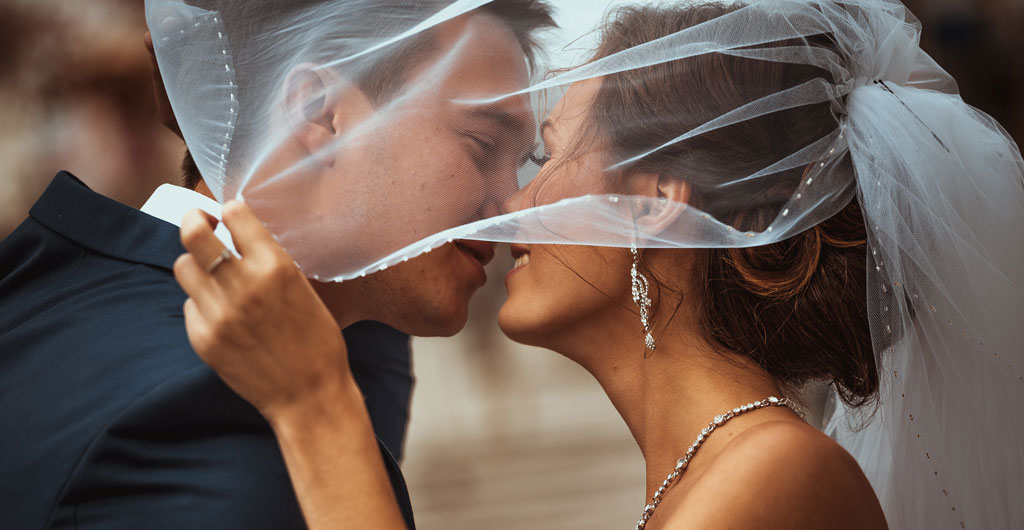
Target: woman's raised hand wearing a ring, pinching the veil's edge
(257, 321)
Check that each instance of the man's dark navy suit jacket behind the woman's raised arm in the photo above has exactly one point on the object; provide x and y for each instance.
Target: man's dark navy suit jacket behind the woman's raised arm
(108, 419)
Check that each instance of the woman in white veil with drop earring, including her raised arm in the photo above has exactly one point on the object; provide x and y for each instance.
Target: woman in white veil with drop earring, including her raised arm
(699, 346)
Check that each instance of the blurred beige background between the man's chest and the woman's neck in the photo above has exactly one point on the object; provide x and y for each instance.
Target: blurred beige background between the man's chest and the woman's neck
(509, 437)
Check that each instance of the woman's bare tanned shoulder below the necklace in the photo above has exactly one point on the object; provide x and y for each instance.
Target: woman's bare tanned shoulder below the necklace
(781, 475)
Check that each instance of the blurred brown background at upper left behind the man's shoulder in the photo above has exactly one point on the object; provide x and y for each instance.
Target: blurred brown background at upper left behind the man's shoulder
(76, 94)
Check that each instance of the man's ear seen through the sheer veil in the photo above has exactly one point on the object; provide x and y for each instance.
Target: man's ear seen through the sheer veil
(321, 108)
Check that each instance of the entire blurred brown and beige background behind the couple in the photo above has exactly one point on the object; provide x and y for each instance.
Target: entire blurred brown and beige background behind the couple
(502, 437)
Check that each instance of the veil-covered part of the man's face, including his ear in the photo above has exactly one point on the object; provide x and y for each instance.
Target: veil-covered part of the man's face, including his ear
(374, 172)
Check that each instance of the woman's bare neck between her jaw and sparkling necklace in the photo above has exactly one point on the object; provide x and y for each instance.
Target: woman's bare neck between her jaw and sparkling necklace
(668, 396)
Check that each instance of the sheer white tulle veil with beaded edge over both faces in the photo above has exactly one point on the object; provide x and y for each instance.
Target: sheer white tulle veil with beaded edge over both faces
(941, 185)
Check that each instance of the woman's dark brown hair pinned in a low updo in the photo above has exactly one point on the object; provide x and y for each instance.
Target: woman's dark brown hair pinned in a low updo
(797, 307)
